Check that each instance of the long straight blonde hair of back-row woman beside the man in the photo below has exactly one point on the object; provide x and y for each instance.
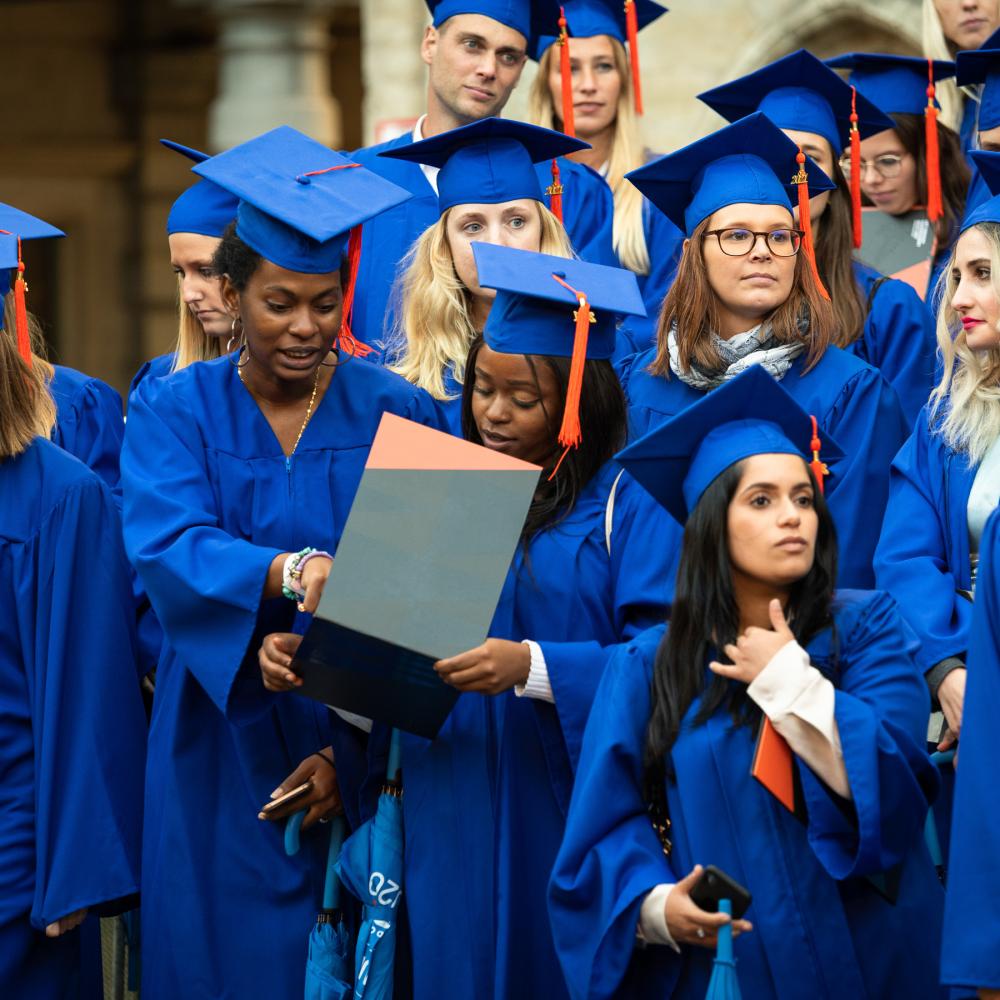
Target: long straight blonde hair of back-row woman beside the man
(627, 153)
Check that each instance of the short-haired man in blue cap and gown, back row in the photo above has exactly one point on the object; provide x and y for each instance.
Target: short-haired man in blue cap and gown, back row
(475, 51)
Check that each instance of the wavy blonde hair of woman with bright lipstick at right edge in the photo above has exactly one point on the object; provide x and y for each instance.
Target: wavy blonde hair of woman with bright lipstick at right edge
(968, 395)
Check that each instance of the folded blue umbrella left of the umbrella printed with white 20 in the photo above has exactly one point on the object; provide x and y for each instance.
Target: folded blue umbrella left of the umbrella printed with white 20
(328, 965)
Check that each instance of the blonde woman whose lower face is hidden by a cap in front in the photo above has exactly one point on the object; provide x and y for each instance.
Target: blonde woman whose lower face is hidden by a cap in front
(489, 192)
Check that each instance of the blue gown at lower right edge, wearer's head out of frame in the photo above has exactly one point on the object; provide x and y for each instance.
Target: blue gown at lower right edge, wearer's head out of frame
(971, 952)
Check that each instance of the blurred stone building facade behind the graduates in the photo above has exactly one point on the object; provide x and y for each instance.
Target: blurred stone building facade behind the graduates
(93, 84)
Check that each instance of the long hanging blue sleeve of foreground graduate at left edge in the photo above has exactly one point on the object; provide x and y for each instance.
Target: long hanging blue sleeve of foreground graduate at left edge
(75, 620)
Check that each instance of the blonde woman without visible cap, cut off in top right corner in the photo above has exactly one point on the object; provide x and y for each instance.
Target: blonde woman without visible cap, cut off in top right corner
(949, 27)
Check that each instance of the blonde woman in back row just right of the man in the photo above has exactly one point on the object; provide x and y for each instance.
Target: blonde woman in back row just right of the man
(602, 109)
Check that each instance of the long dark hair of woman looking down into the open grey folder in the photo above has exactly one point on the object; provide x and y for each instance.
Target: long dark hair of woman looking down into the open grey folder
(603, 417)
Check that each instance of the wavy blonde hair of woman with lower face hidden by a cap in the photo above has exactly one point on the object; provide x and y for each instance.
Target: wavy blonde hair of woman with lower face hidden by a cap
(433, 329)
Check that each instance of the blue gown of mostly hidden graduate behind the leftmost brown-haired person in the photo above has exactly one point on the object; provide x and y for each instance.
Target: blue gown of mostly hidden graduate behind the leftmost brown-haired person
(89, 422)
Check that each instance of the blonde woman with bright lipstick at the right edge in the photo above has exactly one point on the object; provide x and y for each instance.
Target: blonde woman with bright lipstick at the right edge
(946, 478)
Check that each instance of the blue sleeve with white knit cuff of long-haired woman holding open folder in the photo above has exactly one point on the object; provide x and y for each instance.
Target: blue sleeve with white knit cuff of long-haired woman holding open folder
(645, 550)
